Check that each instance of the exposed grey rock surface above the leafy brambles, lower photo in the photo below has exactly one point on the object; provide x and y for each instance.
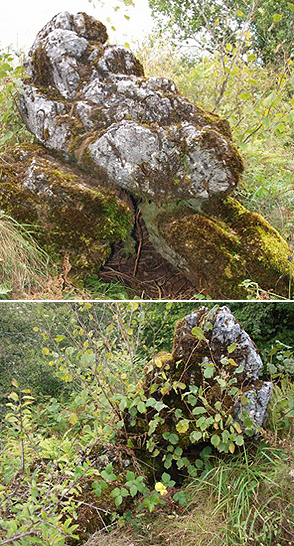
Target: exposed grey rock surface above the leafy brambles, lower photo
(221, 329)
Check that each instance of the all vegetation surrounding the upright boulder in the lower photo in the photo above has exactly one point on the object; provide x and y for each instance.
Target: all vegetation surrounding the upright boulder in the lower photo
(68, 468)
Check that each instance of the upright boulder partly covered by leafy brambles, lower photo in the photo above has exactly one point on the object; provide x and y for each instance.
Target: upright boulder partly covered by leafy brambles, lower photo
(207, 387)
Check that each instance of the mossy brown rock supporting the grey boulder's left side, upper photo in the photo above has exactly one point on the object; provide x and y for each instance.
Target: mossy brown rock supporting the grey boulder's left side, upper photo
(69, 215)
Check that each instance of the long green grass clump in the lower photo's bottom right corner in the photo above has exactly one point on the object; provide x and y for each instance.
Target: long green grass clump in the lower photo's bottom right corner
(244, 499)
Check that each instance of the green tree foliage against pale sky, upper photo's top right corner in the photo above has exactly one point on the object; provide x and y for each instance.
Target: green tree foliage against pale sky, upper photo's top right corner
(222, 26)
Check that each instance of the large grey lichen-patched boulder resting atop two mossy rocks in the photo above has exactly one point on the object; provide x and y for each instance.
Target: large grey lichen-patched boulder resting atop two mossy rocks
(91, 102)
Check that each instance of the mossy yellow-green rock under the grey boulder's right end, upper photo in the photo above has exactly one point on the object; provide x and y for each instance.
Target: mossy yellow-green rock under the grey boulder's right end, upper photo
(220, 246)
